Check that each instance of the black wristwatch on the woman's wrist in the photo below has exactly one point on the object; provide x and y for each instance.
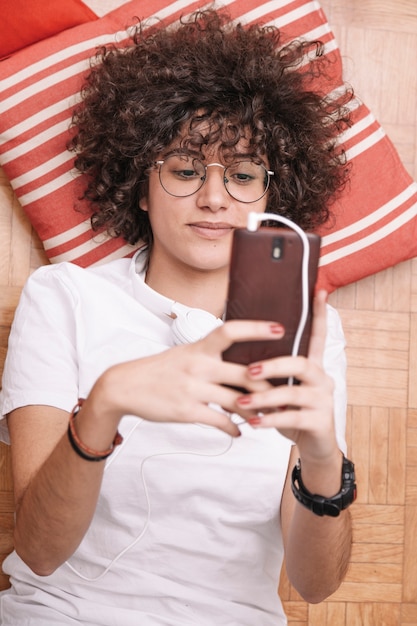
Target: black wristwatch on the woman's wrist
(319, 504)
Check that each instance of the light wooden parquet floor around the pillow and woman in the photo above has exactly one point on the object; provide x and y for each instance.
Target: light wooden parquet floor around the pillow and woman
(378, 39)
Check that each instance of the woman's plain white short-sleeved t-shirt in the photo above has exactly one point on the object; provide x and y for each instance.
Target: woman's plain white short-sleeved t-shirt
(186, 529)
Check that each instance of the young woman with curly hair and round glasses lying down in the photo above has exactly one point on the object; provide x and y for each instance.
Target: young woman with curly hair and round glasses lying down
(187, 520)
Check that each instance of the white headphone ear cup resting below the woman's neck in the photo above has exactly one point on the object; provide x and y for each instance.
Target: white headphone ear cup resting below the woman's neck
(190, 325)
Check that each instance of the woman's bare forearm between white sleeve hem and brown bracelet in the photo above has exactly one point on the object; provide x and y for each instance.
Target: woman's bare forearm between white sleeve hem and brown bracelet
(55, 490)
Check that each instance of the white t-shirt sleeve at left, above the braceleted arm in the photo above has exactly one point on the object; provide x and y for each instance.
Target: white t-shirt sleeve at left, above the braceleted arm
(41, 364)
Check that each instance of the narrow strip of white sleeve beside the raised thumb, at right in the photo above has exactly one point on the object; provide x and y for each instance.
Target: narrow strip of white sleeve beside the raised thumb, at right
(335, 366)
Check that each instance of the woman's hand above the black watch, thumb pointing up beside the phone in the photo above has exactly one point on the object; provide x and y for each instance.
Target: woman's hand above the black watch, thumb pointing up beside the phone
(302, 412)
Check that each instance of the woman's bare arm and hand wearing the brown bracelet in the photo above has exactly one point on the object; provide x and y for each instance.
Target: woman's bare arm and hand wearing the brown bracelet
(56, 490)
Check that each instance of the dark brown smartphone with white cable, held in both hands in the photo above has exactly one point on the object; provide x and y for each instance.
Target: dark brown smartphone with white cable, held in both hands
(265, 283)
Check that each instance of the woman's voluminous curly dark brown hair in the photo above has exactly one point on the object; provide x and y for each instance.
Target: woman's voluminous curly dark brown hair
(138, 100)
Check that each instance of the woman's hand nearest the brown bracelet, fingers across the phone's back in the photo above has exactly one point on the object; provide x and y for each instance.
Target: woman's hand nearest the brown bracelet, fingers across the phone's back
(183, 383)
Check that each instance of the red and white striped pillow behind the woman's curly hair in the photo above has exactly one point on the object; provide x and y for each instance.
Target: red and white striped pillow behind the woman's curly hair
(375, 219)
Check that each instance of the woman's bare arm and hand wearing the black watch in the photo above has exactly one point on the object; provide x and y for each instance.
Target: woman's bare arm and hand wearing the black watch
(317, 548)
